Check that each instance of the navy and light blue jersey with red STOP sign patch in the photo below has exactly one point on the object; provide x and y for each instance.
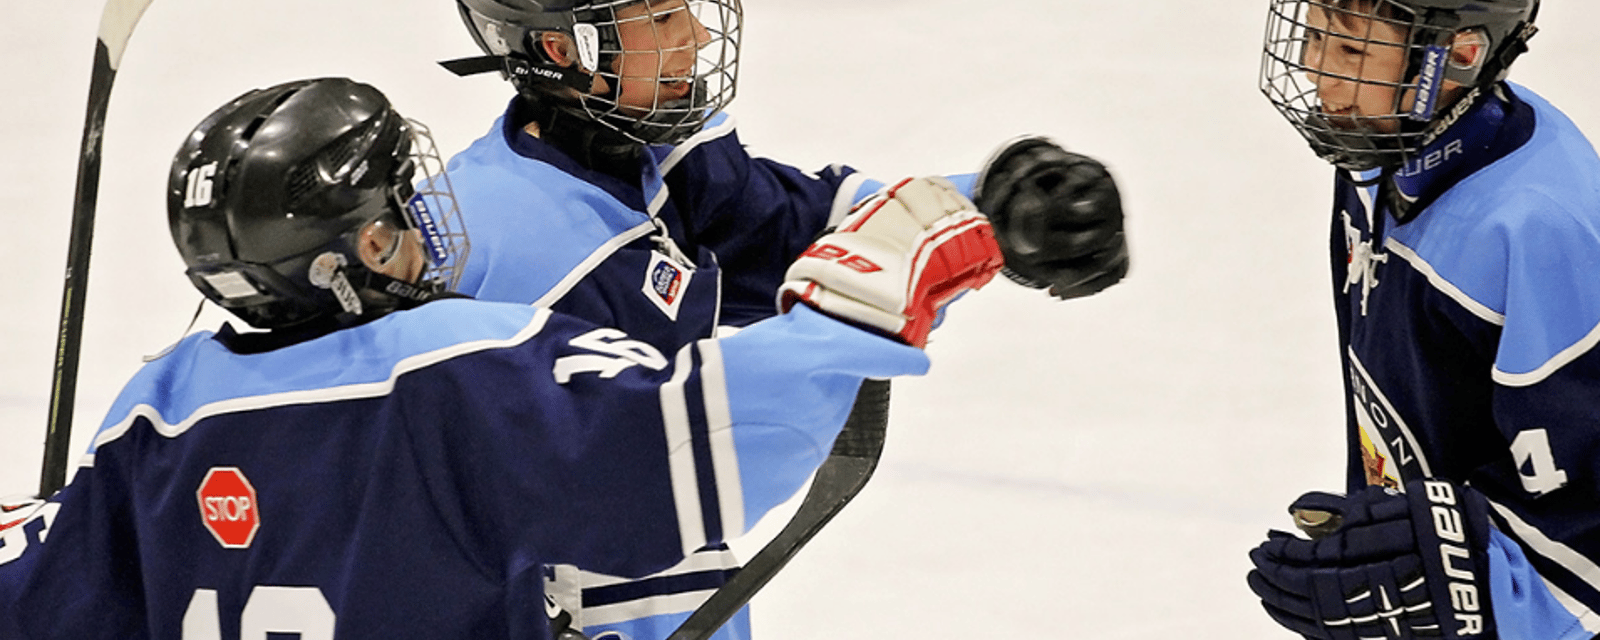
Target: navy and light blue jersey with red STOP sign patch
(415, 476)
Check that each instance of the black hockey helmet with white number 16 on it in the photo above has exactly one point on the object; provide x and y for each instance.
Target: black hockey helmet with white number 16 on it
(268, 194)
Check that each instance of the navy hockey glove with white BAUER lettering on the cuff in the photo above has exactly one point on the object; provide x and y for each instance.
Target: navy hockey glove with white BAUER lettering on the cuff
(1382, 566)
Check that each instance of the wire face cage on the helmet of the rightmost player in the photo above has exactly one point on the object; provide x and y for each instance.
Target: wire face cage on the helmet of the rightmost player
(1358, 79)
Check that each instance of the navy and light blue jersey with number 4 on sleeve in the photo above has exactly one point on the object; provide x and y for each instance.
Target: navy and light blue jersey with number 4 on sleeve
(1470, 332)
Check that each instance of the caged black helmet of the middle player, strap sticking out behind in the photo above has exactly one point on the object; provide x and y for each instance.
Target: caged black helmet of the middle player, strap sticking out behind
(510, 33)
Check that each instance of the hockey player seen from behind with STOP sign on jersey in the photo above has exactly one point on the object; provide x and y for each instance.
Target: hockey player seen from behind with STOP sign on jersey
(391, 462)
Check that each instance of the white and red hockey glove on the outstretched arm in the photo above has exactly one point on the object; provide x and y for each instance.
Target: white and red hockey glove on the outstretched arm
(897, 260)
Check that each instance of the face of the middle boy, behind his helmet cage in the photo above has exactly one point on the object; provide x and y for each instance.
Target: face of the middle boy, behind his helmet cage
(662, 41)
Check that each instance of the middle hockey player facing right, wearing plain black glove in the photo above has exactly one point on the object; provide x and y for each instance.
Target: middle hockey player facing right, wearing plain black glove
(615, 188)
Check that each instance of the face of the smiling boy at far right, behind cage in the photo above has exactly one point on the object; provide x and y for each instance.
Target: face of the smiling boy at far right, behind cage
(1356, 63)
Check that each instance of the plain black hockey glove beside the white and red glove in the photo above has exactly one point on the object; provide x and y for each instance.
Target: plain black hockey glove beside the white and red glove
(1057, 215)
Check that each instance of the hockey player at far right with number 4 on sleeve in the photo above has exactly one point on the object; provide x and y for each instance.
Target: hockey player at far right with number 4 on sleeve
(1466, 241)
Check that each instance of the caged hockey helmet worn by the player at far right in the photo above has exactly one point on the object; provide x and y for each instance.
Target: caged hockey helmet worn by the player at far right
(1314, 79)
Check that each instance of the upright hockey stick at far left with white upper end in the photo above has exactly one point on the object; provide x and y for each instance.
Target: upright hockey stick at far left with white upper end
(118, 23)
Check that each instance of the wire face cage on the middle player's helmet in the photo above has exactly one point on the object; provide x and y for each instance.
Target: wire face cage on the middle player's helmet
(670, 65)
